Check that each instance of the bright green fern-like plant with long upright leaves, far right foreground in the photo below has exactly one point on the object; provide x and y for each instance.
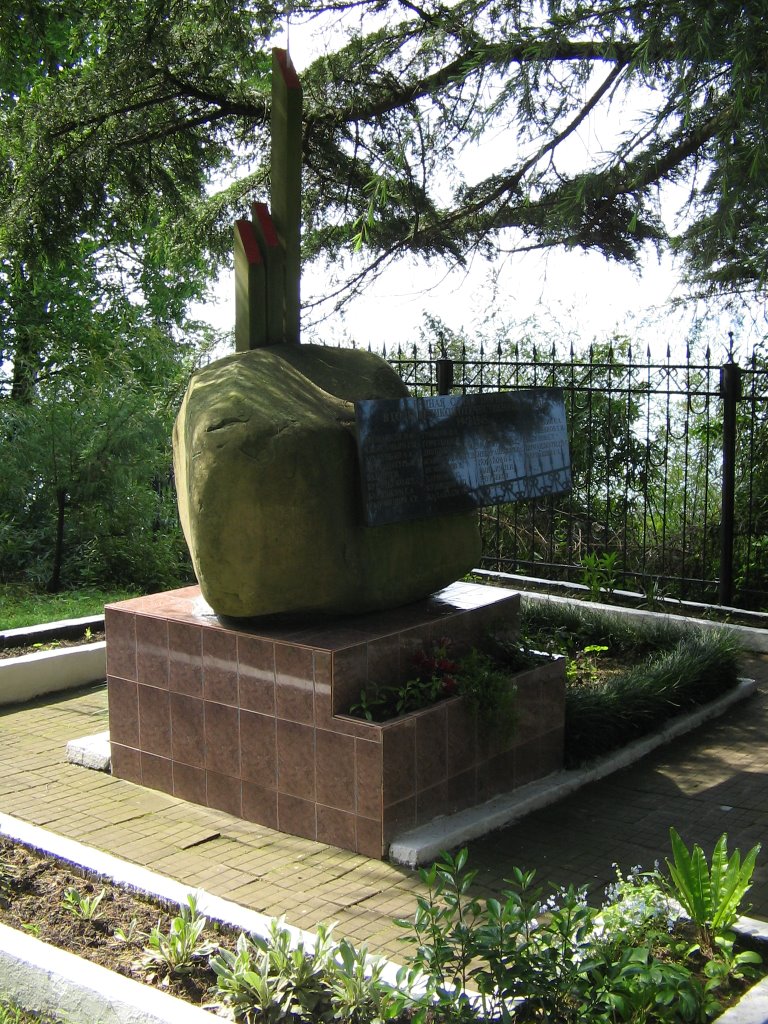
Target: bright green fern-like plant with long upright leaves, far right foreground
(711, 895)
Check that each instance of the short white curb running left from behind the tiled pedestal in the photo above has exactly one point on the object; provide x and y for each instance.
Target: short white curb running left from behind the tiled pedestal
(50, 671)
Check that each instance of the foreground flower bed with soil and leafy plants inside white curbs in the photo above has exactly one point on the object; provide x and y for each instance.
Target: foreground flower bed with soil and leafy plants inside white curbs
(661, 949)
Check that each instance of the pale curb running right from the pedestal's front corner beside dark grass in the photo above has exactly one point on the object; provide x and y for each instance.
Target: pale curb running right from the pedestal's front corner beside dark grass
(424, 844)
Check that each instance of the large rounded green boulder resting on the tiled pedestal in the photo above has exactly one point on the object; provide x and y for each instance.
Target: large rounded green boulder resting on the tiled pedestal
(268, 481)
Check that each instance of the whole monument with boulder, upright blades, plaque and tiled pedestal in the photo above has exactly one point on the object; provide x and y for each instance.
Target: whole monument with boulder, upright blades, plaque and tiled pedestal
(328, 516)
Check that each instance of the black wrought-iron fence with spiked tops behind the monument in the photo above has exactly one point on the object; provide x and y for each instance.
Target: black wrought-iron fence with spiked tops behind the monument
(670, 466)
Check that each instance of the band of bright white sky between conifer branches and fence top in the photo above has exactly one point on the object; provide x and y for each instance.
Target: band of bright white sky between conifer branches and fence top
(574, 296)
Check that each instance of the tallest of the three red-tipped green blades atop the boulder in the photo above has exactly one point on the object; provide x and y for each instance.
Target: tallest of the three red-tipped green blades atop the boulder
(286, 182)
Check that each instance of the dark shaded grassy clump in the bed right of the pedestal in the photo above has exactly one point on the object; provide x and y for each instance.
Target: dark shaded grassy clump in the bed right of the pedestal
(658, 670)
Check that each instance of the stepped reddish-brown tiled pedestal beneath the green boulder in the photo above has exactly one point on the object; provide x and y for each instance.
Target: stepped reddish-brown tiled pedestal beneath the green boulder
(252, 720)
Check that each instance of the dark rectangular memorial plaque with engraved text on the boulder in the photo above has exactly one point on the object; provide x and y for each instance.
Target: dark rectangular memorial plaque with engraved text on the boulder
(428, 457)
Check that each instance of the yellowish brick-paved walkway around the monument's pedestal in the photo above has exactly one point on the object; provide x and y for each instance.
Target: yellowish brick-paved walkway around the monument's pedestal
(714, 781)
